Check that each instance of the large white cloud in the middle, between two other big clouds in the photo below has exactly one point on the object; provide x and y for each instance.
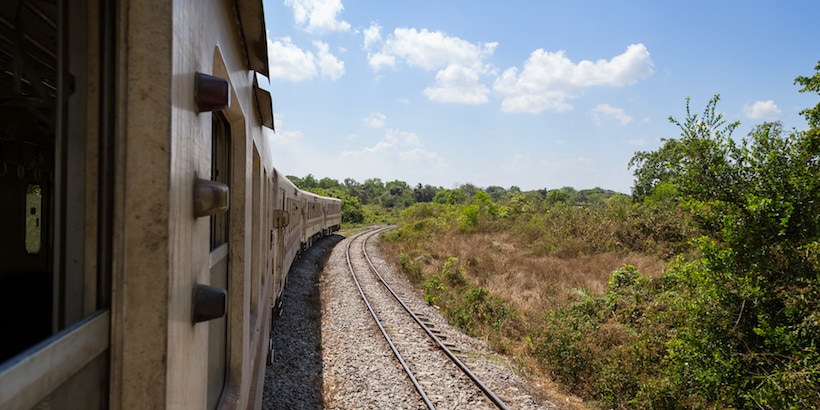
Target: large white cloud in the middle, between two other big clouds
(459, 64)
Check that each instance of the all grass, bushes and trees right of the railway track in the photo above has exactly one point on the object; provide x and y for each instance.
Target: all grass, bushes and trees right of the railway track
(701, 290)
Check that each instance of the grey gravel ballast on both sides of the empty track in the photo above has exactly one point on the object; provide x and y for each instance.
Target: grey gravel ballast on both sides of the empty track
(329, 354)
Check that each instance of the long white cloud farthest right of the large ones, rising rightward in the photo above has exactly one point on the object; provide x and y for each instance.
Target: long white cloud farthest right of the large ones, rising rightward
(548, 79)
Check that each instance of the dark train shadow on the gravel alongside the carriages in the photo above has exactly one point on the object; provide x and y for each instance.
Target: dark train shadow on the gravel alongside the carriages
(294, 380)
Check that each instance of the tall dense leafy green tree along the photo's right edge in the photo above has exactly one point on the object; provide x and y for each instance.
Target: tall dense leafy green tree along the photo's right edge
(752, 304)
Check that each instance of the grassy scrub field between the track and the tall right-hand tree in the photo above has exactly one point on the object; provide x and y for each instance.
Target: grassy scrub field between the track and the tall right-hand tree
(565, 288)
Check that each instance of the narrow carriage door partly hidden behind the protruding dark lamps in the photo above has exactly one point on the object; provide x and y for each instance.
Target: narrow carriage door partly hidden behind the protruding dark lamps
(219, 266)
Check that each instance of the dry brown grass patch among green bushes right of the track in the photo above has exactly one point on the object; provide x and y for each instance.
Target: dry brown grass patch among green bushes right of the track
(533, 284)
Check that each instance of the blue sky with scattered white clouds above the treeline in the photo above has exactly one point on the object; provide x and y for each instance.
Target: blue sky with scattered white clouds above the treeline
(533, 94)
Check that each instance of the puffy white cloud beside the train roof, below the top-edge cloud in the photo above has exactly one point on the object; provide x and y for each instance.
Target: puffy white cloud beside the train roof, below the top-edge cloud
(295, 64)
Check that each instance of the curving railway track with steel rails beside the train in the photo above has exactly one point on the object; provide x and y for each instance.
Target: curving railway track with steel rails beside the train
(435, 371)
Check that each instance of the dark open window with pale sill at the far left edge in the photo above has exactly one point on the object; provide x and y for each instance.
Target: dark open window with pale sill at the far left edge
(56, 168)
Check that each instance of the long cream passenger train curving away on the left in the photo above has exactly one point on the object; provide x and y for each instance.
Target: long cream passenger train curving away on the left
(145, 233)
